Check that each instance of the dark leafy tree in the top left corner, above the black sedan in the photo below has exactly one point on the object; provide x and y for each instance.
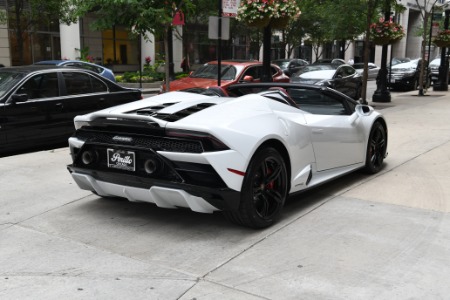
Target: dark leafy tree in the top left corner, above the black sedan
(25, 16)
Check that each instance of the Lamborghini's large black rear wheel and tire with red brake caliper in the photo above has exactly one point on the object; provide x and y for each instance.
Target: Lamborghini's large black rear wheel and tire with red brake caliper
(264, 191)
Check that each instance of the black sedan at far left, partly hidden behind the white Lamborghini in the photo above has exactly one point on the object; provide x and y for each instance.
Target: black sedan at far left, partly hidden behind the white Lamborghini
(38, 103)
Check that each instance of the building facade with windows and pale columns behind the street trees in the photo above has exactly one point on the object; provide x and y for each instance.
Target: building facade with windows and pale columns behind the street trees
(121, 51)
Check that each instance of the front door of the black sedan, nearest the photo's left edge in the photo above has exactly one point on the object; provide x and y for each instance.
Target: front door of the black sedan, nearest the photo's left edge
(28, 116)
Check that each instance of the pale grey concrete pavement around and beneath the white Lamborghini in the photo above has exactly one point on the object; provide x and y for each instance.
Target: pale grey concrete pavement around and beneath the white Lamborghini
(385, 236)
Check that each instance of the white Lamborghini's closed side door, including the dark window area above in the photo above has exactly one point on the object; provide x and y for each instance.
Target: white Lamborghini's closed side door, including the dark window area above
(337, 139)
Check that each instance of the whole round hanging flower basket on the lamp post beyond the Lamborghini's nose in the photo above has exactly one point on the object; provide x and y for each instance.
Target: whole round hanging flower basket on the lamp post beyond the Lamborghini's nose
(386, 32)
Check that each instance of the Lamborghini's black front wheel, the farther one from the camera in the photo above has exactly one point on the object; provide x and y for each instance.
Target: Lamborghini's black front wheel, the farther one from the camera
(376, 148)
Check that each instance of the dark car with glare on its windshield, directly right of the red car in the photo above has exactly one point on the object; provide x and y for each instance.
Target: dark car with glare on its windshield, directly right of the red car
(343, 78)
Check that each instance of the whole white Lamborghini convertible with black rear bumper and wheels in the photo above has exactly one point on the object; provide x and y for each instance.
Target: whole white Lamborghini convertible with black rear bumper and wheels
(242, 154)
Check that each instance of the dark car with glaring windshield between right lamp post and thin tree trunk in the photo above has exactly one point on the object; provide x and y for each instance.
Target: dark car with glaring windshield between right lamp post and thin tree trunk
(406, 75)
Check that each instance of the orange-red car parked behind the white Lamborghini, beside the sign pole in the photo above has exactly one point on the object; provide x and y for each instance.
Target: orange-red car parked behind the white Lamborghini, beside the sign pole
(232, 72)
